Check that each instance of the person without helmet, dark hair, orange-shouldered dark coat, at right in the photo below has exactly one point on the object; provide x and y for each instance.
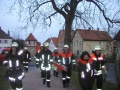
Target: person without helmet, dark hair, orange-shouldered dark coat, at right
(85, 71)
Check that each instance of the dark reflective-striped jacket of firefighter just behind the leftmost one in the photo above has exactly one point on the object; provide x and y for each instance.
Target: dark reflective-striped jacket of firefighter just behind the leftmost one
(25, 55)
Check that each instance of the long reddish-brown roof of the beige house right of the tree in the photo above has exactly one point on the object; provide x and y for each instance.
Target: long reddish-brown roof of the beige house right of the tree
(94, 35)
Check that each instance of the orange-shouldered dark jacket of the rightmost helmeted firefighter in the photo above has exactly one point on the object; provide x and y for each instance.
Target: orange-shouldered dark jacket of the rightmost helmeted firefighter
(99, 63)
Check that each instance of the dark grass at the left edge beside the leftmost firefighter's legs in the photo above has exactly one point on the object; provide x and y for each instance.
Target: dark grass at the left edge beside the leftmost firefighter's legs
(4, 84)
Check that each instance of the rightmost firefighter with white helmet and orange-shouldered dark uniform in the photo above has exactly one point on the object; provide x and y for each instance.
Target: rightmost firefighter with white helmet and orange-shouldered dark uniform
(99, 63)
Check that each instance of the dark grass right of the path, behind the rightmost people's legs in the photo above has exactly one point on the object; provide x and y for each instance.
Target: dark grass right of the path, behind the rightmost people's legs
(76, 86)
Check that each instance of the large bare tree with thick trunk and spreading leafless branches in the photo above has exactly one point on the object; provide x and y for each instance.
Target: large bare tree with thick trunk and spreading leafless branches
(81, 13)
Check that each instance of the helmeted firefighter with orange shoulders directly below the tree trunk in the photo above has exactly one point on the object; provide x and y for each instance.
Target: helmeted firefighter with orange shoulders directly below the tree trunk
(67, 61)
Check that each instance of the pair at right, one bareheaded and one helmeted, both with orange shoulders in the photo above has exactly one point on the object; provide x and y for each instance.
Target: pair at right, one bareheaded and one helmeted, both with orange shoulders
(90, 67)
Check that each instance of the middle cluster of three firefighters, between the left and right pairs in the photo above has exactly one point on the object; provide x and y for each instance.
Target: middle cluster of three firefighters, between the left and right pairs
(47, 59)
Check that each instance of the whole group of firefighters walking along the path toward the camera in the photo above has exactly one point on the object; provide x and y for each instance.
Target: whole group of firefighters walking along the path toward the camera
(89, 66)
